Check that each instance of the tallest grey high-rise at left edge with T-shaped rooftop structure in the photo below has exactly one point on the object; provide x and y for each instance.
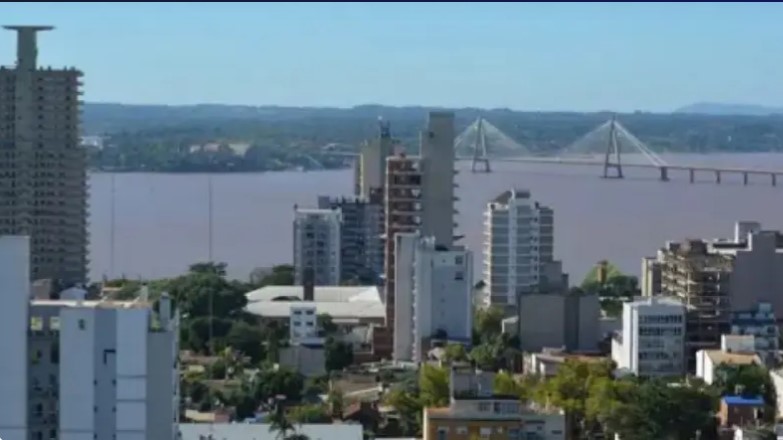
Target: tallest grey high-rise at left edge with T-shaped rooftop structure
(43, 168)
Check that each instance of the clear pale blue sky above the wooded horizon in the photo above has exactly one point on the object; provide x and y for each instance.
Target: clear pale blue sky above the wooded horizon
(620, 57)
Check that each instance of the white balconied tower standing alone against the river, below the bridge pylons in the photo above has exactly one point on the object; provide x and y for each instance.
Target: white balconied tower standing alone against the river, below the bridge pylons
(518, 248)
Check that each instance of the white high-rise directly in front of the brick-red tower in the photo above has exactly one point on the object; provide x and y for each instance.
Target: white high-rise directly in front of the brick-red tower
(433, 295)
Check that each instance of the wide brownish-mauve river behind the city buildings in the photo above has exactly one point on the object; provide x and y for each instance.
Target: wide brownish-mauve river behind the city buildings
(162, 220)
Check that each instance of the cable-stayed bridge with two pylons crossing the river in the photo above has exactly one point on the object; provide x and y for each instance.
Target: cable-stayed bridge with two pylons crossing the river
(482, 143)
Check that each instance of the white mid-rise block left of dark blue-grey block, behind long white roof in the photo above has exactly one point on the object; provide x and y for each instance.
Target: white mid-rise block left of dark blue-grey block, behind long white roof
(317, 245)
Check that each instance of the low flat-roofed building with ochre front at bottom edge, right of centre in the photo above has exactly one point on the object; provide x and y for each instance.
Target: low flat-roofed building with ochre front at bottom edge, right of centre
(475, 411)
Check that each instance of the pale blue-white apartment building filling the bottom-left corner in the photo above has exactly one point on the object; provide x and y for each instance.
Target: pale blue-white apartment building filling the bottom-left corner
(84, 369)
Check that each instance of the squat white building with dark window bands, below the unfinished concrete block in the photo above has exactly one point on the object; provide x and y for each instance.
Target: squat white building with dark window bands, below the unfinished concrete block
(652, 342)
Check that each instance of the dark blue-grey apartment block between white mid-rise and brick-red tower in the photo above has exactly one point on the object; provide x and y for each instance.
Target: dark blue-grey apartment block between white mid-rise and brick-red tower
(361, 236)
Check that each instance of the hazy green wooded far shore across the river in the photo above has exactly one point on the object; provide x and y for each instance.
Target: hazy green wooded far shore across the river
(242, 138)
